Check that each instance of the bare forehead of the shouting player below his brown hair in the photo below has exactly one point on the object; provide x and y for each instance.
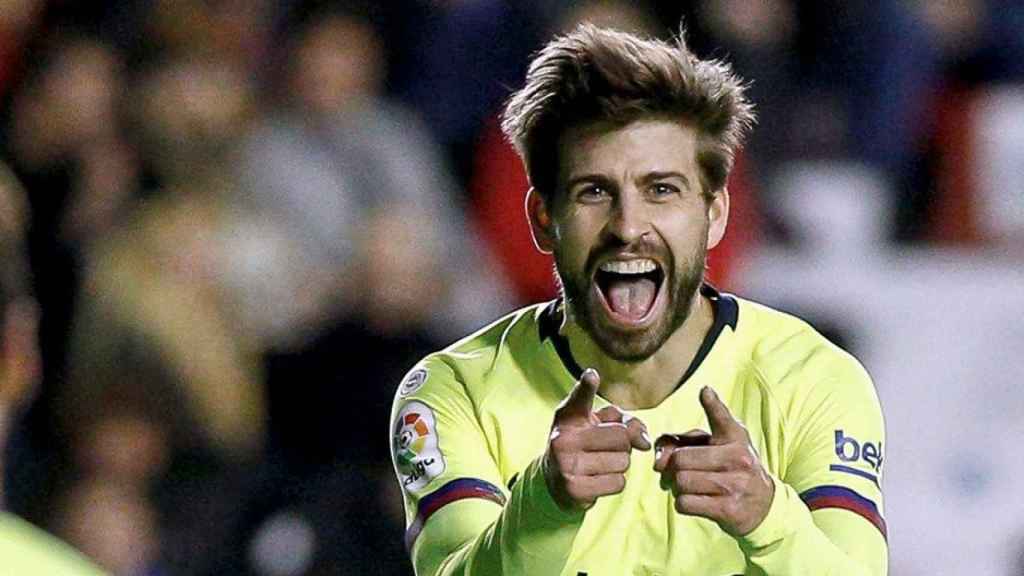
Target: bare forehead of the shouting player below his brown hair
(633, 149)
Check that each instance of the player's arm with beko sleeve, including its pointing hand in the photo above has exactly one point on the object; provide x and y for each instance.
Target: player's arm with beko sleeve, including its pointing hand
(721, 478)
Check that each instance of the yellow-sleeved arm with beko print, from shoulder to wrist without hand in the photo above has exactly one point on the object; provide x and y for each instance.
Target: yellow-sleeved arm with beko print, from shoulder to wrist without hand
(827, 517)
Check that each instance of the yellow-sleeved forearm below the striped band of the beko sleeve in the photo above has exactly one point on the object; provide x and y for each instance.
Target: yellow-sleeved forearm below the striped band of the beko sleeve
(789, 542)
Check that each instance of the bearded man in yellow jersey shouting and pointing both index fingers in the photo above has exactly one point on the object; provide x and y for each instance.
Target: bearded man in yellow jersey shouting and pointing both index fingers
(770, 438)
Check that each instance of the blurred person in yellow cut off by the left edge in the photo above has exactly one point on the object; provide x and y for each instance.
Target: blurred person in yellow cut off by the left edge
(26, 550)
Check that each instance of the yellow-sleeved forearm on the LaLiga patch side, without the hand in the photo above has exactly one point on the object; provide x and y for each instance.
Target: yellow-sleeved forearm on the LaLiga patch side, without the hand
(532, 536)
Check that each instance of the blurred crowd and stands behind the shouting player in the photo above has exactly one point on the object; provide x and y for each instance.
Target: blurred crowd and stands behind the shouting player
(236, 224)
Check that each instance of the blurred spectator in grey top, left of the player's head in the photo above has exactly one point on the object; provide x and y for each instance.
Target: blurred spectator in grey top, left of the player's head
(335, 157)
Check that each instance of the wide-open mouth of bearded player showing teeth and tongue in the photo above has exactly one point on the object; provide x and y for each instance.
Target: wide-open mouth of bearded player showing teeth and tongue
(630, 290)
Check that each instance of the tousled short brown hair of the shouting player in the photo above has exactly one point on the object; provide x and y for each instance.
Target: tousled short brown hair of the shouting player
(595, 74)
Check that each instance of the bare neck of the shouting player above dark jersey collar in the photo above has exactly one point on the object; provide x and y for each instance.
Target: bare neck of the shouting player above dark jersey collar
(637, 386)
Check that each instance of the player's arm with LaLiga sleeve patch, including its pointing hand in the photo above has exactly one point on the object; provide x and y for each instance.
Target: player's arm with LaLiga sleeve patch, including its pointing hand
(460, 522)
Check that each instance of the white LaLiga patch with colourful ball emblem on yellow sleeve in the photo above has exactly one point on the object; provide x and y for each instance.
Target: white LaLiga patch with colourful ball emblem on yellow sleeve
(414, 444)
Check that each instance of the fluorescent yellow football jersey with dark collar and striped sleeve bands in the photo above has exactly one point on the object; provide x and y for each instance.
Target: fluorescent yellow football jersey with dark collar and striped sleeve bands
(471, 427)
